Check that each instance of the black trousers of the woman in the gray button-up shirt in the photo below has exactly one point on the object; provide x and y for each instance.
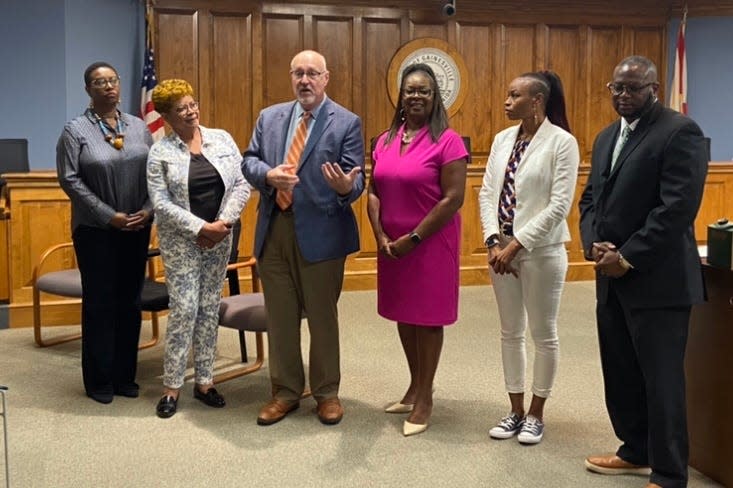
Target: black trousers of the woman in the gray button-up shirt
(112, 266)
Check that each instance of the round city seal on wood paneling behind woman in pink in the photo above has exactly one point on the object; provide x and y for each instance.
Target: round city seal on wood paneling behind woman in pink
(446, 62)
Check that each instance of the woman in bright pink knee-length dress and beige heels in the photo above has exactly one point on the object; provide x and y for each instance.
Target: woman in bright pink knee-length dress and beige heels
(417, 187)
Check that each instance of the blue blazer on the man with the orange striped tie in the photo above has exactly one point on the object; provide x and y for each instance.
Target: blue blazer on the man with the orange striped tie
(325, 226)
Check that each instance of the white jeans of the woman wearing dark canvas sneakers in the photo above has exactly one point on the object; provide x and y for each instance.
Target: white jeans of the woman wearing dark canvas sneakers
(533, 298)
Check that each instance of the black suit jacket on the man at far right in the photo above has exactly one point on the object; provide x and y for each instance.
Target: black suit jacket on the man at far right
(647, 206)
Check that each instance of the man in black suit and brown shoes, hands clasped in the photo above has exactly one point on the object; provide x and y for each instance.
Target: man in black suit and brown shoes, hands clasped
(637, 215)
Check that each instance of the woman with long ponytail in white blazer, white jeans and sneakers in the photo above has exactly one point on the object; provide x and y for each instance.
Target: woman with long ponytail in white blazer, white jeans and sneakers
(525, 198)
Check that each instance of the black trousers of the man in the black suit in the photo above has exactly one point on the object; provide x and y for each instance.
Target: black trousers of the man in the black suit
(642, 356)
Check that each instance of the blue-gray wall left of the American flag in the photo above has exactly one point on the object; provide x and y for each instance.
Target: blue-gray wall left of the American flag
(45, 45)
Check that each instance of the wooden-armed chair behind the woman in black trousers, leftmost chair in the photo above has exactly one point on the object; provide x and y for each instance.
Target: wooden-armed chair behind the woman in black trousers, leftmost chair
(67, 283)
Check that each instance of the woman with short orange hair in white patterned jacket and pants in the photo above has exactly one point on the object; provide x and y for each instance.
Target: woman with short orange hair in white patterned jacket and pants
(198, 191)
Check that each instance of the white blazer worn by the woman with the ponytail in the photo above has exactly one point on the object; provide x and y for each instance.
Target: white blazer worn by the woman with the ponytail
(544, 185)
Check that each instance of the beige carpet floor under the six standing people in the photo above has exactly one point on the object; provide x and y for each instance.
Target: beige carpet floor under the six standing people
(59, 438)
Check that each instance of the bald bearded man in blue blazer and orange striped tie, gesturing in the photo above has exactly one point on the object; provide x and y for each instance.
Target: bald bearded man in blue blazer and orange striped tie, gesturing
(306, 159)
